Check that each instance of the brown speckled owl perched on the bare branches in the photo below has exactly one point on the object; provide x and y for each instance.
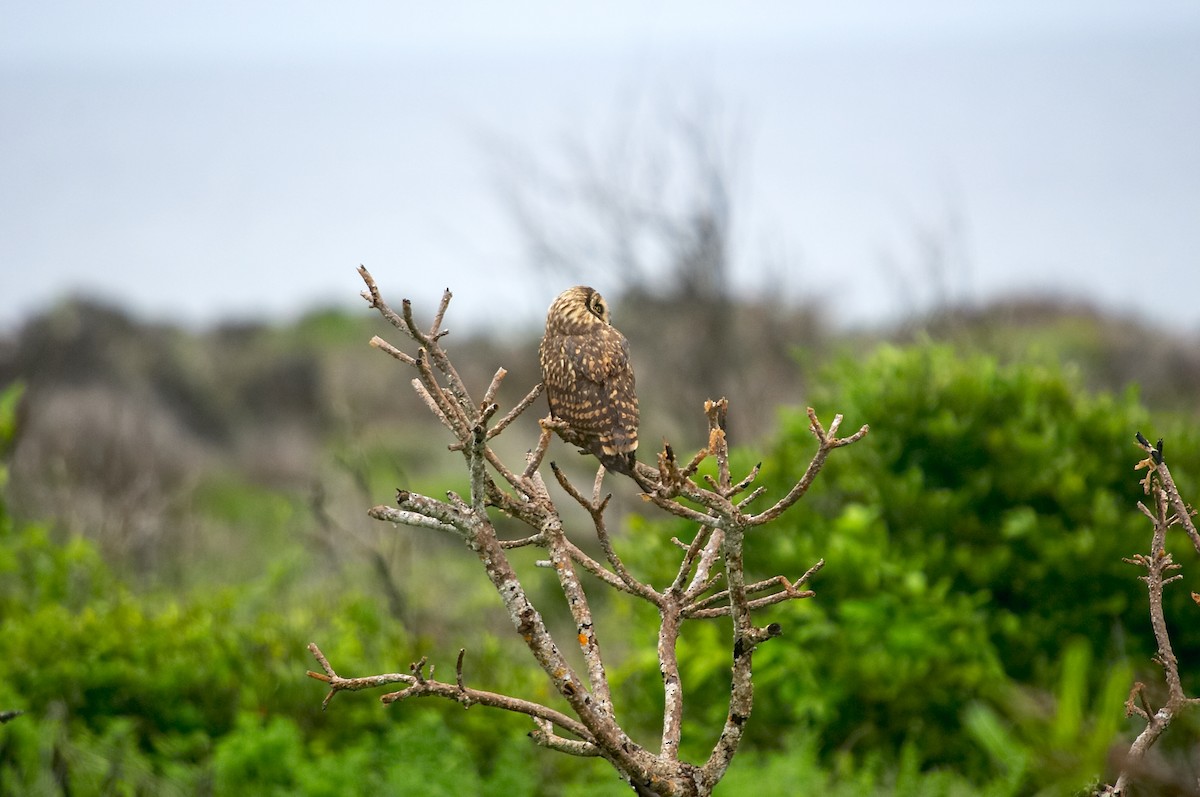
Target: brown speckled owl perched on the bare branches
(590, 382)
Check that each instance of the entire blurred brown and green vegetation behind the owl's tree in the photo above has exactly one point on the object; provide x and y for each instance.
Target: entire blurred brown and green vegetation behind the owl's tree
(185, 511)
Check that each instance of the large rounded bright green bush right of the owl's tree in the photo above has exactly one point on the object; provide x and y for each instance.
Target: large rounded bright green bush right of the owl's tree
(977, 529)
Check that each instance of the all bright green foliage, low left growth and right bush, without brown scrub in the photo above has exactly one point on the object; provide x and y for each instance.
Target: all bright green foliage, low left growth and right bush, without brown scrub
(974, 631)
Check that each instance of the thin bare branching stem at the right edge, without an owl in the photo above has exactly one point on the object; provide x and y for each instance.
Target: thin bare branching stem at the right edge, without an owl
(1168, 511)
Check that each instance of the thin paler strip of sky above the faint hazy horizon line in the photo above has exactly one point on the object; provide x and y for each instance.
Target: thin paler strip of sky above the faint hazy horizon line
(85, 31)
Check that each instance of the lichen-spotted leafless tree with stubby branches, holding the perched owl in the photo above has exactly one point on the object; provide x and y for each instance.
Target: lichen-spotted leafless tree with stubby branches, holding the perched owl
(700, 590)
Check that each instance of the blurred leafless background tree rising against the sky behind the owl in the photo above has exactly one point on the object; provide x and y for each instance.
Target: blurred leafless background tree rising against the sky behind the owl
(652, 203)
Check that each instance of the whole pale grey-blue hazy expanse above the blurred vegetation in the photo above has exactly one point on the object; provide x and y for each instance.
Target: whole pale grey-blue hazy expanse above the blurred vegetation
(200, 160)
